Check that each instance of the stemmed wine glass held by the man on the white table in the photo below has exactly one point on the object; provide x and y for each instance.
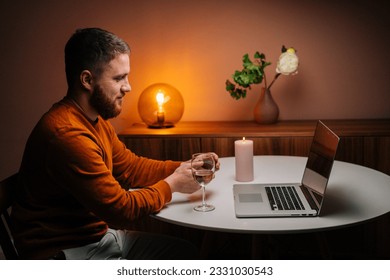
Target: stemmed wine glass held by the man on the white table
(203, 168)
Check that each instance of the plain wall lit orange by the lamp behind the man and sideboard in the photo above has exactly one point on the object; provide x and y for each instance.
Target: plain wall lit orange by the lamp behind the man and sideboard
(195, 45)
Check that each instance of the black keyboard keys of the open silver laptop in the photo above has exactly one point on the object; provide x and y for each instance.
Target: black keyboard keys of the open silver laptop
(284, 198)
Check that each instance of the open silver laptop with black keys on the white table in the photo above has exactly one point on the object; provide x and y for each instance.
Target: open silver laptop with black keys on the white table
(303, 199)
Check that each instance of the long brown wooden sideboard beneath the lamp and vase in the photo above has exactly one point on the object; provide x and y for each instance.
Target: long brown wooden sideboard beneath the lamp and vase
(364, 142)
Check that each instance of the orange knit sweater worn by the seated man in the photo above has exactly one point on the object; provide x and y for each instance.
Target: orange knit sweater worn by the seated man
(75, 180)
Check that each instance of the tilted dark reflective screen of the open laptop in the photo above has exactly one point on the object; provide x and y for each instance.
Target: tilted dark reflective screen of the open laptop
(319, 163)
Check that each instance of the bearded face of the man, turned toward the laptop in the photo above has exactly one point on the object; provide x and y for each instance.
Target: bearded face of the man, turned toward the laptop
(111, 86)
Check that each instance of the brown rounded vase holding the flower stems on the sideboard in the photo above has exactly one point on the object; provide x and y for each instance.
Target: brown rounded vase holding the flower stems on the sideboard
(266, 110)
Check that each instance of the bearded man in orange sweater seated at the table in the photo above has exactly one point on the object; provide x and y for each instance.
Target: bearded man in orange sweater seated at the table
(74, 200)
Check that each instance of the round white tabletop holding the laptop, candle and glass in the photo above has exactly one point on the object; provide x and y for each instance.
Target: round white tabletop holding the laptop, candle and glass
(355, 194)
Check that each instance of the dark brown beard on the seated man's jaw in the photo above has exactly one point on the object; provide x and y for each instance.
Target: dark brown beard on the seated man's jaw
(105, 107)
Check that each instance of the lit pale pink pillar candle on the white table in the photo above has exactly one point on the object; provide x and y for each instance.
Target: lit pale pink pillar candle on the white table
(243, 150)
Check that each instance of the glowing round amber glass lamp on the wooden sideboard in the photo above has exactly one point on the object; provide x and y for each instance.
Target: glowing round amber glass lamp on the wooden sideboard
(160, 105)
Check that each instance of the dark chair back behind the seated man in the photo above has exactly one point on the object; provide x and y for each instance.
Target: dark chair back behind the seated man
(7, 189)
